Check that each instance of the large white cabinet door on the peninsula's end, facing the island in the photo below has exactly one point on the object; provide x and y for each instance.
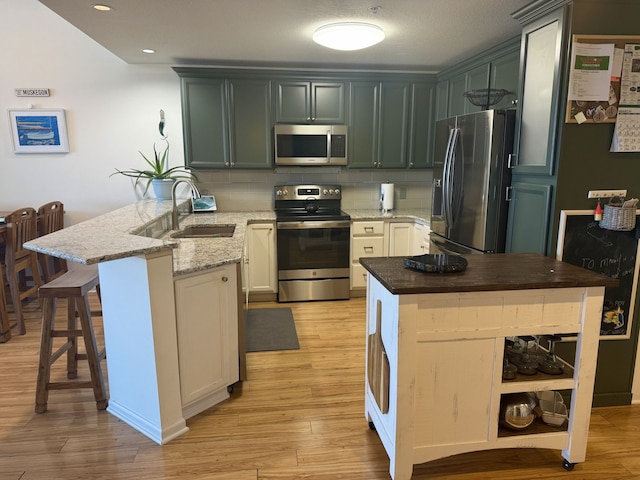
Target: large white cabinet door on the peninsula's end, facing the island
(207, 323)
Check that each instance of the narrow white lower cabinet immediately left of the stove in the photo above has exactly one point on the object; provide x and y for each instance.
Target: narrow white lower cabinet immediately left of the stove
(260, 258)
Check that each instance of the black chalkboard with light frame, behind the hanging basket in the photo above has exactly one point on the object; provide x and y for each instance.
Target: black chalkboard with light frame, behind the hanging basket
(582, 242)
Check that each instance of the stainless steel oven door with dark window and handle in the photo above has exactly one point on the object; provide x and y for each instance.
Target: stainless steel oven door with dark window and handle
(313, 249)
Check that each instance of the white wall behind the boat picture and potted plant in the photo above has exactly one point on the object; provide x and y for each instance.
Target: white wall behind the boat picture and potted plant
(112, 111)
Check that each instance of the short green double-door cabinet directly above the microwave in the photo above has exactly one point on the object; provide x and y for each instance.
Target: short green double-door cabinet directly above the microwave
(310, 102)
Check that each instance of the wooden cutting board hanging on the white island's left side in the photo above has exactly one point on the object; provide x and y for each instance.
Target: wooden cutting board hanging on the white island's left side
(378, 364)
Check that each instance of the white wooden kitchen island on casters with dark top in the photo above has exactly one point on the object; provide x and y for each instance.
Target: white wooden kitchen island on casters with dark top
(435, 350)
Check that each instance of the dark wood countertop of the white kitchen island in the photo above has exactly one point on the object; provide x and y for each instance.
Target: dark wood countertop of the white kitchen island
(492, 272)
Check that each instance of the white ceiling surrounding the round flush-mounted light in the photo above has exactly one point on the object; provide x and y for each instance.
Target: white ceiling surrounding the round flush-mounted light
(423, 35)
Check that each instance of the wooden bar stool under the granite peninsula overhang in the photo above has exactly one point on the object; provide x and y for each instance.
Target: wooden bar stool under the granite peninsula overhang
(73, 286)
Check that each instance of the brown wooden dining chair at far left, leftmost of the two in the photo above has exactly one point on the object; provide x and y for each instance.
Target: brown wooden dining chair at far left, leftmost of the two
(20, 262)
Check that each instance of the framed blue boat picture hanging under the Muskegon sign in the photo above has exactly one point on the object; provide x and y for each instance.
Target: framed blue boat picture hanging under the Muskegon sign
(39, 131)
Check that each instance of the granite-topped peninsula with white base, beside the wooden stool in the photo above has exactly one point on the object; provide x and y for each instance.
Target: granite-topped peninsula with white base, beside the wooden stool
(139, 264)
